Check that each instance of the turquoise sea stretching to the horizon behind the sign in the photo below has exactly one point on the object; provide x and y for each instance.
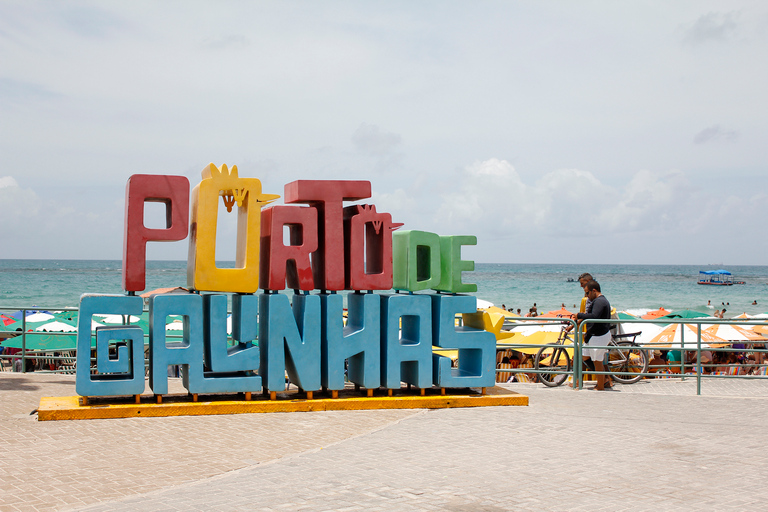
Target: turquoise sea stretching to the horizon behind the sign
(59, 283)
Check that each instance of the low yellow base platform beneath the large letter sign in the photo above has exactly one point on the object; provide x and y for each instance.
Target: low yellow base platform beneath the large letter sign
(71, 408)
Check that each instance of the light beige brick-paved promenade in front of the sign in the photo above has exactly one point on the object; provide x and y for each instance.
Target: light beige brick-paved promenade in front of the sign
(648, 446)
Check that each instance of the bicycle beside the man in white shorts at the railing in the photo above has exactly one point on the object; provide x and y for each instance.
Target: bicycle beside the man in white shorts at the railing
(626, 361)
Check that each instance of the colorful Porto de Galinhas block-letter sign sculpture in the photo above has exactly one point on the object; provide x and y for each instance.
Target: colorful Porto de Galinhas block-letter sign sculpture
(387, 339)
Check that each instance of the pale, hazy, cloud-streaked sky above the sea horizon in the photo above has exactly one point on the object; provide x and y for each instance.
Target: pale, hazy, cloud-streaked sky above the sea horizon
(556, 132)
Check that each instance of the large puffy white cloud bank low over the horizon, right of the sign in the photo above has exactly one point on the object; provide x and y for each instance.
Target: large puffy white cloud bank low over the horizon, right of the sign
(568, 203)
